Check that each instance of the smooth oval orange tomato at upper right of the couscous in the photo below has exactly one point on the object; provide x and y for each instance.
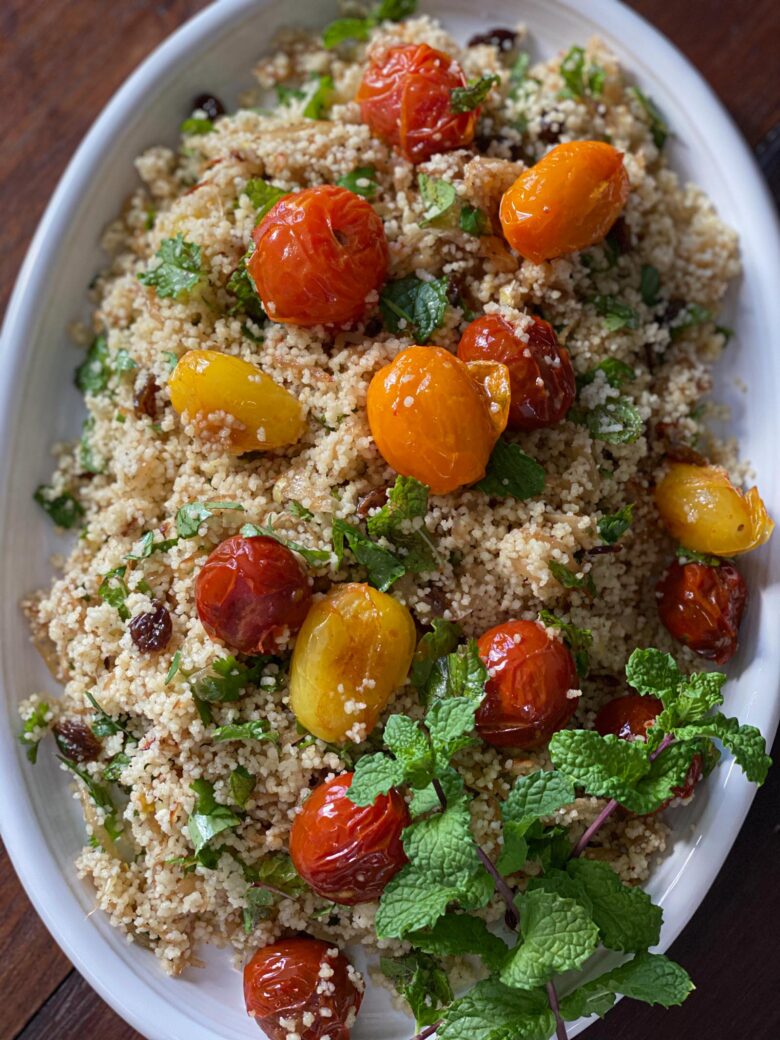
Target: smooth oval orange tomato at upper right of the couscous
(566, 202)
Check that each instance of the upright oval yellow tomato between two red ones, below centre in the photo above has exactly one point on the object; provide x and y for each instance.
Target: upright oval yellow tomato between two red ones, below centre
(353, 652)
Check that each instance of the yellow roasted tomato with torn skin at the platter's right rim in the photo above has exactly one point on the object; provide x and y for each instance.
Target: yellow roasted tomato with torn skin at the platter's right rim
(703, 509)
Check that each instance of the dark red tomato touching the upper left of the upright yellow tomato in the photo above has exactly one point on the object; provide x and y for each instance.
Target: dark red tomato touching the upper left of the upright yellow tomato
(250, 592)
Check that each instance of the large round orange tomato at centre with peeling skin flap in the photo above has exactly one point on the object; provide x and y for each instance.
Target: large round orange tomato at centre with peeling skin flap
(436, 419)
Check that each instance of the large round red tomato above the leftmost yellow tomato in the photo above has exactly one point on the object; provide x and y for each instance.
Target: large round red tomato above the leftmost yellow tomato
(319, 254)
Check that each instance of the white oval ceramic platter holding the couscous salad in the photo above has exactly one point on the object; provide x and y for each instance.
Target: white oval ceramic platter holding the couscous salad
(41, 824)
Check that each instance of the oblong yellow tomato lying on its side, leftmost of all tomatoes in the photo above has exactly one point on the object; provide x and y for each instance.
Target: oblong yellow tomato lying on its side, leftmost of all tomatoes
(235, 403)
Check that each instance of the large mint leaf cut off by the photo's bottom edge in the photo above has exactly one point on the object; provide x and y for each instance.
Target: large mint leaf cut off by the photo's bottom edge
(491, 1011)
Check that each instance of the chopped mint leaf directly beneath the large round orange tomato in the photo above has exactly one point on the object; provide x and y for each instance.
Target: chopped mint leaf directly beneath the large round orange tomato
(402, 522)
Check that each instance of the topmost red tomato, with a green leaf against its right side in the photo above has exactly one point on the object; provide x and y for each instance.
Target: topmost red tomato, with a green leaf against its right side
(406, 98)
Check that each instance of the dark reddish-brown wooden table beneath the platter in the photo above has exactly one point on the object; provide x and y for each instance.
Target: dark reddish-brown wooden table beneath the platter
(60, 63)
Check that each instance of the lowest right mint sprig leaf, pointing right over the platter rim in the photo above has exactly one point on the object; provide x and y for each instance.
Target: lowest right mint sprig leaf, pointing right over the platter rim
(651, 978)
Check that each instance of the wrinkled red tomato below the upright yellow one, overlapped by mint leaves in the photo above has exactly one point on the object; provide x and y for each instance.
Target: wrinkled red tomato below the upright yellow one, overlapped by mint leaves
(346, 852)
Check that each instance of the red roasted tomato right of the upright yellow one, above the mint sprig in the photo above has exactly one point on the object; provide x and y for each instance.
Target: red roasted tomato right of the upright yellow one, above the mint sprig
(531, 675)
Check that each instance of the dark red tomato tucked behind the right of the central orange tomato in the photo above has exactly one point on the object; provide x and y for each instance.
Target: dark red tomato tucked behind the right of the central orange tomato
(541, 374)
